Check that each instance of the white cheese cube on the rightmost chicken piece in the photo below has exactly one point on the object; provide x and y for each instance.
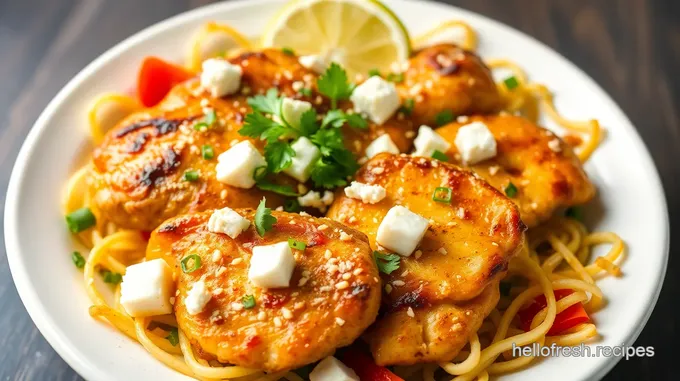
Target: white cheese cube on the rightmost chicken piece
(475, 143)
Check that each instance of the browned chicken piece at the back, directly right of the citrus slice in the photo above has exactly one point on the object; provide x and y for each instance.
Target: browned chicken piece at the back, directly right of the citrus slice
(448, 78)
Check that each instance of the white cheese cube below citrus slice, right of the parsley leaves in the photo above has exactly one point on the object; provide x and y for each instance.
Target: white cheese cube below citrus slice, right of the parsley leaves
(377, 98)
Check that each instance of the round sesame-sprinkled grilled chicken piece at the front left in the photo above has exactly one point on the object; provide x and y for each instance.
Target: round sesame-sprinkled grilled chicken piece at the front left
(337, 302)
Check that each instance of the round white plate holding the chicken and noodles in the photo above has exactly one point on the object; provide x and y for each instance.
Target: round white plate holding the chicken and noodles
(38, 244)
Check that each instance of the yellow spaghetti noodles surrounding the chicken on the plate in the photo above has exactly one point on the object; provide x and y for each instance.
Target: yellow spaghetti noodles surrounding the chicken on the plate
(555, 257)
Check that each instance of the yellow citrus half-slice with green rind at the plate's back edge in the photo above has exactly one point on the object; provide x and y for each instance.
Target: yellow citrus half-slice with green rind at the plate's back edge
(360, 35)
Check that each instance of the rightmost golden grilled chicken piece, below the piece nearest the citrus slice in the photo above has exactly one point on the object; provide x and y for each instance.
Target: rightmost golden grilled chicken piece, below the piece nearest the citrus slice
(545, 170)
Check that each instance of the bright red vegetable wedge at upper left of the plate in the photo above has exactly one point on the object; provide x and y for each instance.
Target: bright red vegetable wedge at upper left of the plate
(156, 78)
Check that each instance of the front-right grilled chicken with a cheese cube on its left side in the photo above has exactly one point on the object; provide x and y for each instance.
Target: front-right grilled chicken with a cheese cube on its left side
(456, 267)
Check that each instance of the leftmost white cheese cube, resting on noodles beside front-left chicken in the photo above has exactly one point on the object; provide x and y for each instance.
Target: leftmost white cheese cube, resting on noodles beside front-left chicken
(147, 288)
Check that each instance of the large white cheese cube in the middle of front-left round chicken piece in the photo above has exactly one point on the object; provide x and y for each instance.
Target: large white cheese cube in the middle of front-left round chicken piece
(271, 266)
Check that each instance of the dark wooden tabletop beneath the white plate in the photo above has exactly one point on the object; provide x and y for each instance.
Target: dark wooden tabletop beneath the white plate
(630, 47)
